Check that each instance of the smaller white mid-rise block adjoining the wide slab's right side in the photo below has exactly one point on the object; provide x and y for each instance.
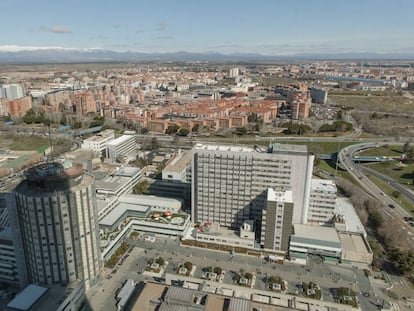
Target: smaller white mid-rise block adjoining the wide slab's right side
(322, 202)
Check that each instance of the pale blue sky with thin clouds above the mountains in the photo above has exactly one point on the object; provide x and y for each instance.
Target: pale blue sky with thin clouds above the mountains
(268, 27)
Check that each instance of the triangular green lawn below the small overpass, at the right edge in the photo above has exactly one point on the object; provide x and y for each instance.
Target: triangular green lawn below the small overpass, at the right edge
(402, 174)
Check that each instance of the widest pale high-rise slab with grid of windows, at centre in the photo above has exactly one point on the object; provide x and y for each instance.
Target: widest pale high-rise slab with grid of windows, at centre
(230, 183)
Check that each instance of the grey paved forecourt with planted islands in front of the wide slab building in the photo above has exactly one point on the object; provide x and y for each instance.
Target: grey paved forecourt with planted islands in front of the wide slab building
(327, 276)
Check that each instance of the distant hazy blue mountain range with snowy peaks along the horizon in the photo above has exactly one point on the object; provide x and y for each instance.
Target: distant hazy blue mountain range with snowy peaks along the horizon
(61, 55)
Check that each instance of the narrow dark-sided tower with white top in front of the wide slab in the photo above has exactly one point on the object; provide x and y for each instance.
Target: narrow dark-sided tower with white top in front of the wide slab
(277, 220)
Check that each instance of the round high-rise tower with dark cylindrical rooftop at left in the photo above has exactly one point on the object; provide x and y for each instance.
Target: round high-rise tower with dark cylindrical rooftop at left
(58, 220)
